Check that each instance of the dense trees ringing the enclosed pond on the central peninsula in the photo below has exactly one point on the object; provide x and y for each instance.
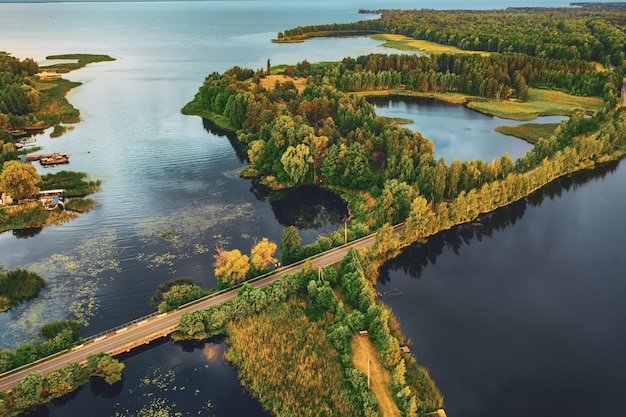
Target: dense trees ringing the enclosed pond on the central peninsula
(324, 135)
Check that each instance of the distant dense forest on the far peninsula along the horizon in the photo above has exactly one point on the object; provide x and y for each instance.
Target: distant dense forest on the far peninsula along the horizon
(578, 34)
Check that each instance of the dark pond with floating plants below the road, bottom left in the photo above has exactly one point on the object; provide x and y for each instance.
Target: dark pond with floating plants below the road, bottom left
(163, 378)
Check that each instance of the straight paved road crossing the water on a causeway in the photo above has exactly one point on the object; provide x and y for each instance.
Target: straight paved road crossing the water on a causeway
(117, 341)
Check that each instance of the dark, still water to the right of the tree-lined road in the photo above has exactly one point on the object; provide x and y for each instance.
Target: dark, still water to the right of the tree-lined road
(524, 314)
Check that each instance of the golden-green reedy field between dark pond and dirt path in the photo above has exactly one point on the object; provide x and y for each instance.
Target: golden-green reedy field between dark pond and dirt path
(287, 361)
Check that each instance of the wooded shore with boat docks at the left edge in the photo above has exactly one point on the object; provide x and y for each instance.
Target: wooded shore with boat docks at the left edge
(35, 99)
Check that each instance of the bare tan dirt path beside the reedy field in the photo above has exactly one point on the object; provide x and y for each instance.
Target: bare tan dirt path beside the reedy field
(380, 378)
